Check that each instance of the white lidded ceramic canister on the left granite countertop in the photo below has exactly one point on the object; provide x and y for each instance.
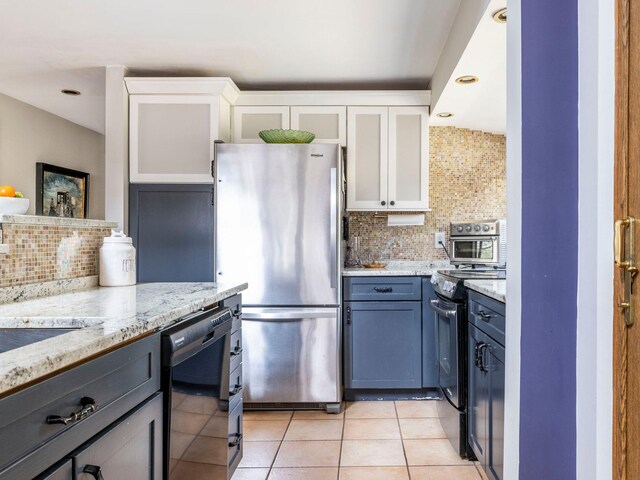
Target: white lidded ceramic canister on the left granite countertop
(117, 261)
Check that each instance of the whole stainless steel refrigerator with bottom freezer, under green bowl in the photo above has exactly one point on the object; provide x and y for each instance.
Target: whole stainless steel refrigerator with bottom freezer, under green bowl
(278, 219)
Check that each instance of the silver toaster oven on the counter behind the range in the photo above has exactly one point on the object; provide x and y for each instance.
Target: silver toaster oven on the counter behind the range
(479, 243)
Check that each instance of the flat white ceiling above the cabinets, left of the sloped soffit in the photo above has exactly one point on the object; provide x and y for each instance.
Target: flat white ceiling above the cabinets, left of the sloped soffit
(277, 44)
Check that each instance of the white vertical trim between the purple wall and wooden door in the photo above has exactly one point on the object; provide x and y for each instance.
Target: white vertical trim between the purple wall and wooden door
(596, 37)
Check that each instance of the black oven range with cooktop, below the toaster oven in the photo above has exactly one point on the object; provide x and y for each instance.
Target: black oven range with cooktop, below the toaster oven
(452, 332)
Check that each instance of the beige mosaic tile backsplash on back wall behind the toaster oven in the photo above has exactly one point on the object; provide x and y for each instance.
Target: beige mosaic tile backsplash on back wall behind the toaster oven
(467, 181)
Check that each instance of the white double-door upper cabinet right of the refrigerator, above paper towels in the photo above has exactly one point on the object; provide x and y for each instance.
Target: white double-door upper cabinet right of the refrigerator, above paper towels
(388, 158)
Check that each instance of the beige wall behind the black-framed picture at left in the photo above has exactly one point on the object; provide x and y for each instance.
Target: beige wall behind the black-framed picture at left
(29, 135)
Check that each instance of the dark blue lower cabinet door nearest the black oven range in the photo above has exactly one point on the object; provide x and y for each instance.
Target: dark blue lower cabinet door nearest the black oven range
(478, 396)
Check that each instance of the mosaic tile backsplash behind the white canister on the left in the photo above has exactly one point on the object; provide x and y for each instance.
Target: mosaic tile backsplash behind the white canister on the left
(42, 253)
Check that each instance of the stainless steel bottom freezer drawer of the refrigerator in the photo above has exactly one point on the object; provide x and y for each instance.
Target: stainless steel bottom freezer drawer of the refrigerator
(291, 355)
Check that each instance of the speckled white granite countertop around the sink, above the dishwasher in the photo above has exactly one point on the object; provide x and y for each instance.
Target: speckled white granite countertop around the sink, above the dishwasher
(106, 316)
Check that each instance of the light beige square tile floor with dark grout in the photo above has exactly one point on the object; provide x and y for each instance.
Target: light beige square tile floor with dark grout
(368, 441)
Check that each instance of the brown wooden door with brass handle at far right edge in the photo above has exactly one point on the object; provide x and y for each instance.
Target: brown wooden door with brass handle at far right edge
(626, 333)
